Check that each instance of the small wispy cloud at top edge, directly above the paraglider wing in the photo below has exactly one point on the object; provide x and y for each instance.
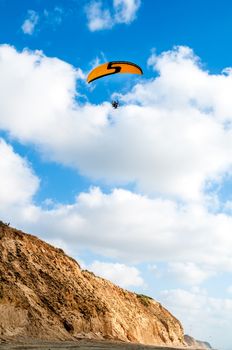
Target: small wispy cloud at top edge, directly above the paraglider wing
(100, 17)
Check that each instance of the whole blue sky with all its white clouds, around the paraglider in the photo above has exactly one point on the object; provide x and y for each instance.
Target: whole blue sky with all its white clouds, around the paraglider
(140, 195)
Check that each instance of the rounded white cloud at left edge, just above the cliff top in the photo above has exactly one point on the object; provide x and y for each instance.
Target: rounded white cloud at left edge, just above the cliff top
(18, 185)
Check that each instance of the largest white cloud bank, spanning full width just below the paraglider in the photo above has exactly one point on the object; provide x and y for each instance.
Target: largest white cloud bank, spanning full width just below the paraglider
(168, 146)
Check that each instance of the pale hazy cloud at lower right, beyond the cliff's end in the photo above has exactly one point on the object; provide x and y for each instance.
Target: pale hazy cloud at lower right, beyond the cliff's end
(206, 318)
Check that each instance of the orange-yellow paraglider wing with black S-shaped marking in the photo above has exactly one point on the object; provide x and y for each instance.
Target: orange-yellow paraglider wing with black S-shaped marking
(112, 68)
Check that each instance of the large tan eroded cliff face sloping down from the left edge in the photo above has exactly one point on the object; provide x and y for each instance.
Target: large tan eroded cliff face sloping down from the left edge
(45, 294)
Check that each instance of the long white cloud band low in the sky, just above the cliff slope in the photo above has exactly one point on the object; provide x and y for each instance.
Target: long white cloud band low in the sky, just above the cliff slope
(137, 228)
